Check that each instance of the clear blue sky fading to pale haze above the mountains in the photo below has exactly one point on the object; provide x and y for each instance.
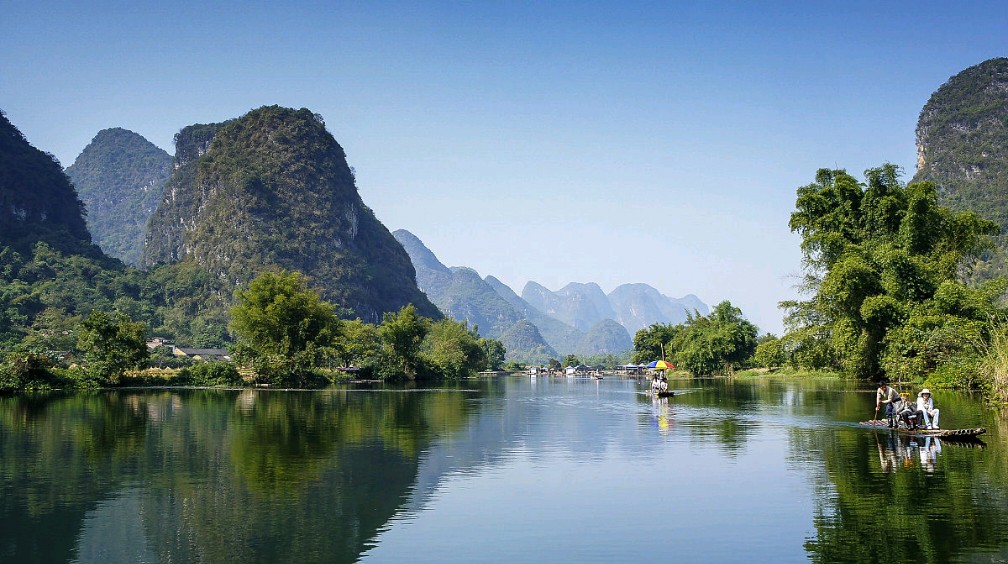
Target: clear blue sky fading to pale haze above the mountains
(559, 143)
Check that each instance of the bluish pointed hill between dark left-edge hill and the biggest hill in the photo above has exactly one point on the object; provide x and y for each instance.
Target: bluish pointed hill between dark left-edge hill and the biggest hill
(120, 177)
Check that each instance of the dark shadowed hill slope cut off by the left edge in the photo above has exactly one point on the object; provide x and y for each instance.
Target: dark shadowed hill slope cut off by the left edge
(38, 202)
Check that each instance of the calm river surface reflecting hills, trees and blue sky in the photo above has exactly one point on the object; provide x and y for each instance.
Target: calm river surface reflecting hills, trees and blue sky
(511, 470)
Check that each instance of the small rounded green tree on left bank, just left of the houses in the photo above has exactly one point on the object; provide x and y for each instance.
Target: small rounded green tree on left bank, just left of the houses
(112, 344)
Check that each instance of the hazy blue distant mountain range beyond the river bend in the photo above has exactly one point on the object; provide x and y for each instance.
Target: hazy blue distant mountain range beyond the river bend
(540, 325)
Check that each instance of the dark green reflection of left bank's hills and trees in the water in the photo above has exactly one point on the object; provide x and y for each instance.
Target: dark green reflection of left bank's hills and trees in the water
(228, 476)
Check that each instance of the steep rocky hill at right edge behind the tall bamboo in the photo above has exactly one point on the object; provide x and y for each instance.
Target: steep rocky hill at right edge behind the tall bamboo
(963, 148)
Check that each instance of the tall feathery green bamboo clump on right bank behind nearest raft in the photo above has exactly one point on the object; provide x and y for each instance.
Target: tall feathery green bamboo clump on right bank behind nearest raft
(883, 264)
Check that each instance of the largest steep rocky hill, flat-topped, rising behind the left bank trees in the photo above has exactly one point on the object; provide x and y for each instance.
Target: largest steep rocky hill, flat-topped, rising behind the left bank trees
(273, 190)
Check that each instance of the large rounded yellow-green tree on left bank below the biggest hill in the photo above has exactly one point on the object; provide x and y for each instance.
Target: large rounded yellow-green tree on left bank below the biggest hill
(284, 328)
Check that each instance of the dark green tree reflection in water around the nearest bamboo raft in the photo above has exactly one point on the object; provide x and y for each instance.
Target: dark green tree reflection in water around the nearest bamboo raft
(886, 498)
